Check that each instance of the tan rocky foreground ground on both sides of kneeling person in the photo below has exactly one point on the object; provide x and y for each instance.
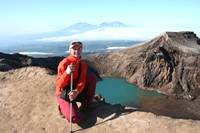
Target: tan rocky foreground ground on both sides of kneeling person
(27, 105)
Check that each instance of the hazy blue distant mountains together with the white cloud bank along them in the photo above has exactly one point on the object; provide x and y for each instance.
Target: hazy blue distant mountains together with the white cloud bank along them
(82, 31)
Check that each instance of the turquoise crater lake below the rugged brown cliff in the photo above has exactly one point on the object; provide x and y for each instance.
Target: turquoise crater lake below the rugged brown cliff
(118, 91)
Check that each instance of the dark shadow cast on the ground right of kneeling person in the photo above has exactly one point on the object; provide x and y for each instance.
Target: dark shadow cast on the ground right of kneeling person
(102, 110)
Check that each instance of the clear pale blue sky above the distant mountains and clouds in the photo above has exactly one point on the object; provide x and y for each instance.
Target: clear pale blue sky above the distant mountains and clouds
(22, 17)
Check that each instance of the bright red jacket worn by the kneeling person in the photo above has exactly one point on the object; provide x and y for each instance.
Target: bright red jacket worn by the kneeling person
(63, 78)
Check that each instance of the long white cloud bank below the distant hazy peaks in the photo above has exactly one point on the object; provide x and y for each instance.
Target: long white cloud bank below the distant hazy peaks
(125, 33)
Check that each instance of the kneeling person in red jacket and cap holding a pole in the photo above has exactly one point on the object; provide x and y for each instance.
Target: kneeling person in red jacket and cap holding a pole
(84, 83)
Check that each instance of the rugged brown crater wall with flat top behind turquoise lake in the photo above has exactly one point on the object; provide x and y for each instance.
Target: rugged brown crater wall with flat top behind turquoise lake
(169, 63)
